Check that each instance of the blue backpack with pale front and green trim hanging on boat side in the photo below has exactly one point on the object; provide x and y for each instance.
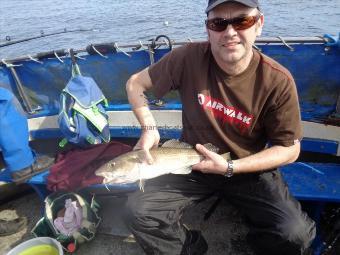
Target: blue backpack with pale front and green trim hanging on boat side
(82, 118)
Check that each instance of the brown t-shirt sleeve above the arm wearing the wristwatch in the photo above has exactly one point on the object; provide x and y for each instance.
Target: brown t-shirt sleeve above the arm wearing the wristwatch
(283, 121)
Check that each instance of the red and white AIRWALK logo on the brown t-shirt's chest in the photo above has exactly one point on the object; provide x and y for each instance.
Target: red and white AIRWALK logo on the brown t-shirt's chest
(226, 113)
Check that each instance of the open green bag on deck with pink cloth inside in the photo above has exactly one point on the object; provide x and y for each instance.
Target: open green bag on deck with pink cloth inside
(56, 202)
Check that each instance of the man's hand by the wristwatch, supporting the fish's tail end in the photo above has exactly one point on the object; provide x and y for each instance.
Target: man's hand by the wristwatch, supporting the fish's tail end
(213, 163)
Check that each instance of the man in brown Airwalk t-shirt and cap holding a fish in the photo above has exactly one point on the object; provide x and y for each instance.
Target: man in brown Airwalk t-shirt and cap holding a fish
(241, 101)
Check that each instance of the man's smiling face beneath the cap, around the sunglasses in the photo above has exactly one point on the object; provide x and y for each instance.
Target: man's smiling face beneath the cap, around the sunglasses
(232, 47)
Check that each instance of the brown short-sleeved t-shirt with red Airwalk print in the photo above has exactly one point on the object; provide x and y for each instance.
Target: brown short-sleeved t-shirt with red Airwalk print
(240, 114)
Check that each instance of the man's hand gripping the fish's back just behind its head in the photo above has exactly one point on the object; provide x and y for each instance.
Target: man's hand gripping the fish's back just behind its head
(149, 139)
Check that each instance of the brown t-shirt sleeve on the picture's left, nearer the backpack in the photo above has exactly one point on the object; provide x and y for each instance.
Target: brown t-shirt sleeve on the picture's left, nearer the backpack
(166, 74)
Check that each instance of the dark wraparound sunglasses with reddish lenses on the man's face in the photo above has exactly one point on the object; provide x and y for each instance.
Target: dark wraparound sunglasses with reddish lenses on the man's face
(240, 23)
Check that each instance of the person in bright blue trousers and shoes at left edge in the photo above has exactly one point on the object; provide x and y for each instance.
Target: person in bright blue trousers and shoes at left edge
(18, 157)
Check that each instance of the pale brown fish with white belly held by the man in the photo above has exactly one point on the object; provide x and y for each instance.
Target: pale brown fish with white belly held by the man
(173, 157)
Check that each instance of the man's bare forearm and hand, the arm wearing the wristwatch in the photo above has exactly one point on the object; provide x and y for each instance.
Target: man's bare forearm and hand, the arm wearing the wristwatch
(269, 158)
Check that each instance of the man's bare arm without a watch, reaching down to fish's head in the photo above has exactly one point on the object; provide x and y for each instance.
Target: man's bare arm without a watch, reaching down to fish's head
(135, 88)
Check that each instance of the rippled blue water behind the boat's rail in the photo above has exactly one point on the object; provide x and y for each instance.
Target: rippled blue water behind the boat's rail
(125, 21)
